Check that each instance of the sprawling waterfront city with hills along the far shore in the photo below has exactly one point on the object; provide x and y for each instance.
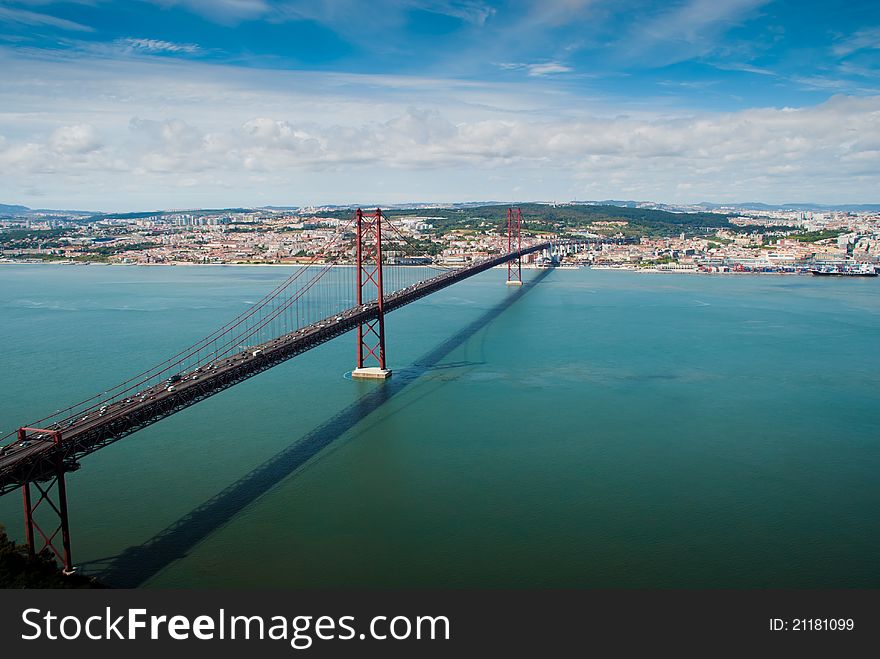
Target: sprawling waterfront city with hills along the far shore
(738, 240)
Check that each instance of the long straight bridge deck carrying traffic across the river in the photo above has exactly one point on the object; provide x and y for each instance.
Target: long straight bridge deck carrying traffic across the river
(37, 459)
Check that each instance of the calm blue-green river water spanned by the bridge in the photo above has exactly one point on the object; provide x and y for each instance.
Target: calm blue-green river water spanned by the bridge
(595, 429)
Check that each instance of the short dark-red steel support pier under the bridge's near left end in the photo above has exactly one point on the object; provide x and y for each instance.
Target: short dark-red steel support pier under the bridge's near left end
(59, 507)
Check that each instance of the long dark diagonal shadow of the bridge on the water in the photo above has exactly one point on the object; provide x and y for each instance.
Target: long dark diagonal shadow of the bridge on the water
(136, 565)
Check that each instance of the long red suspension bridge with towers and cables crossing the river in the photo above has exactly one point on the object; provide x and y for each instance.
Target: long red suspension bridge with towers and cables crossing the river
(307, 309)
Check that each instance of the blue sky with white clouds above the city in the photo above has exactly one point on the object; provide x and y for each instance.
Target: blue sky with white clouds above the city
(147, 104)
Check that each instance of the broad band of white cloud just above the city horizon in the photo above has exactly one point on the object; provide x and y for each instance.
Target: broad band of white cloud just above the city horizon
(128, 134)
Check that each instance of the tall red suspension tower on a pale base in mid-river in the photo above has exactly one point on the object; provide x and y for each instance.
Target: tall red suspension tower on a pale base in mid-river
(371, 333)
